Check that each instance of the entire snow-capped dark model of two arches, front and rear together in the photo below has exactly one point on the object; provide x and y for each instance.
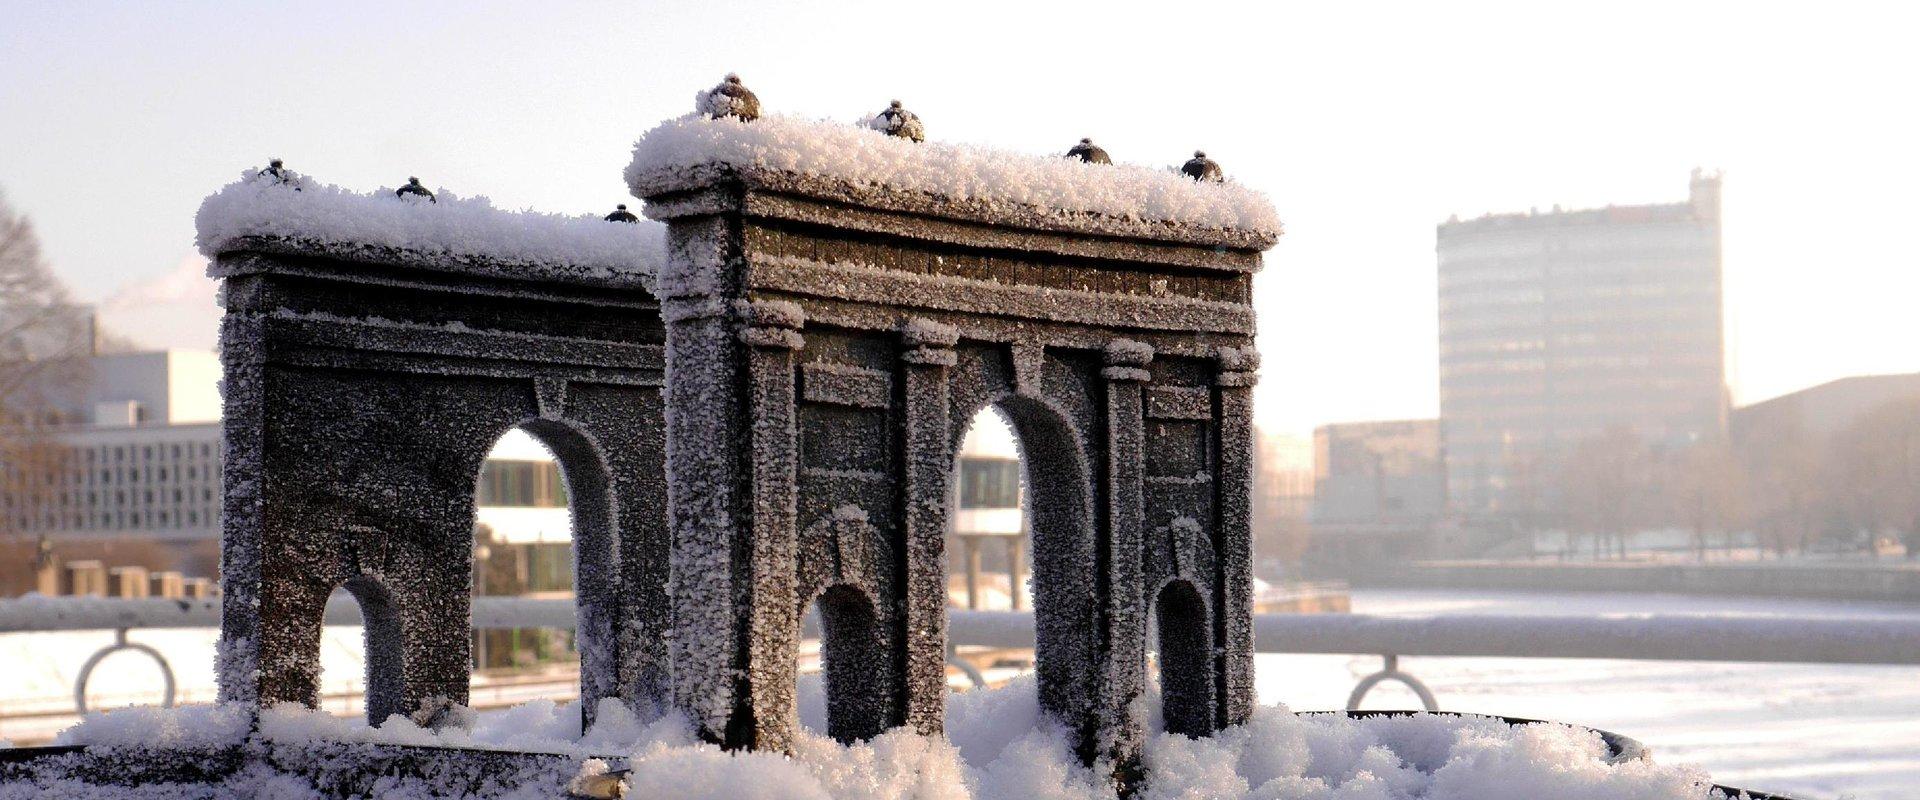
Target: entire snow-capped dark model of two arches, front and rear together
(757, 421)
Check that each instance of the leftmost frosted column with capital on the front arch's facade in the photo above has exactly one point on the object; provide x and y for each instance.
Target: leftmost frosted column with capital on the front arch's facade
(771, 596)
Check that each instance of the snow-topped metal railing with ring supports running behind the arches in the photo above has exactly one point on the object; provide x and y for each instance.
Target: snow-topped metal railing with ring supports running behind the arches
(1629, 638)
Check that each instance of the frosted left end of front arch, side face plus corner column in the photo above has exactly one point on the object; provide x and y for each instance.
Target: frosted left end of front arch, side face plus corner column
(731, 490)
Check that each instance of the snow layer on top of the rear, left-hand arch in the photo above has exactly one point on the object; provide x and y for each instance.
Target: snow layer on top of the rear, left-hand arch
(462, 227)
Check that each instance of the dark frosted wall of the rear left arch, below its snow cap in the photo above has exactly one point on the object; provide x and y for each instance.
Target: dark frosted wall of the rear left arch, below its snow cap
(362, 398)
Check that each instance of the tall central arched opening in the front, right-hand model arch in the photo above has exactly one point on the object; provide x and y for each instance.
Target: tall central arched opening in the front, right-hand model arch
(1055, 567)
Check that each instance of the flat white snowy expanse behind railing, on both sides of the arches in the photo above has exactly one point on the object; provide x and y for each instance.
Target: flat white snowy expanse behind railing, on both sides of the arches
(1810, 730)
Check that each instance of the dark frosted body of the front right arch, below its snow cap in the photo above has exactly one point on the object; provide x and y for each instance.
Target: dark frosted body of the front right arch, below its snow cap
(852, 342)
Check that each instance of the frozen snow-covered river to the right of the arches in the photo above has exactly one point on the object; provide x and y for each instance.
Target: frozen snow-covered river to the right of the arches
(1808, 730)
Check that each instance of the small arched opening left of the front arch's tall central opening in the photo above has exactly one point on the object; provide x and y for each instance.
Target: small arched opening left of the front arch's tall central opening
(853, 661)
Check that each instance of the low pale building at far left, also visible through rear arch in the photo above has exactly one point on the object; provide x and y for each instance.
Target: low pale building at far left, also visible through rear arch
(133, 477)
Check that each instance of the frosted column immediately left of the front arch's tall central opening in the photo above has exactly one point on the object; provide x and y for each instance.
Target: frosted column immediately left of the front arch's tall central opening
(930, 461)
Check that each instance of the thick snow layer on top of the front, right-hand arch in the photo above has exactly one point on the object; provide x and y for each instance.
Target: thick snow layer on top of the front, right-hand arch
(679, 151)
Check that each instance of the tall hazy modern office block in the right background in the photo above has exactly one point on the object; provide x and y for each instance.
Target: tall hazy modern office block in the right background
(1562, 325)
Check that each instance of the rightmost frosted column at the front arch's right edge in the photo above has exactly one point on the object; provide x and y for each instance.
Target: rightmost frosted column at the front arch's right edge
(1234, 538)
